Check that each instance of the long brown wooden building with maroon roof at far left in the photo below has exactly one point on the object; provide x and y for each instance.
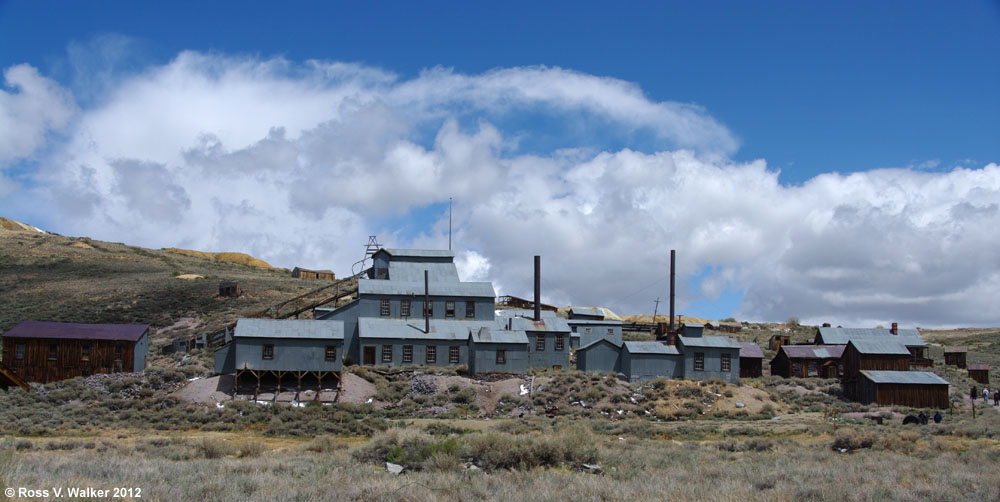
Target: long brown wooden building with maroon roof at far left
(50, 351)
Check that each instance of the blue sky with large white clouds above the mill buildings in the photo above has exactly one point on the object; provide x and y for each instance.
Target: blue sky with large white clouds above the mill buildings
(831, 162)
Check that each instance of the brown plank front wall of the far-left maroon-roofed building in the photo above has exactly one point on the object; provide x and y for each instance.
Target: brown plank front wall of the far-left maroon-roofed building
(36, 366)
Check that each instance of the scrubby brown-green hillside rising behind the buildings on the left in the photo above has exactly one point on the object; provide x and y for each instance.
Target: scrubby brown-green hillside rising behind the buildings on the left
(55, 278)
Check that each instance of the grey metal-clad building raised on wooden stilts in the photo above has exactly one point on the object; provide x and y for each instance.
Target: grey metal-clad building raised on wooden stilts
(283, 354)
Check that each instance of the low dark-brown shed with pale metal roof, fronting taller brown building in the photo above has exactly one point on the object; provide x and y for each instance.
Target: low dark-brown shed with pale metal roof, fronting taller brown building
(917, 389)
